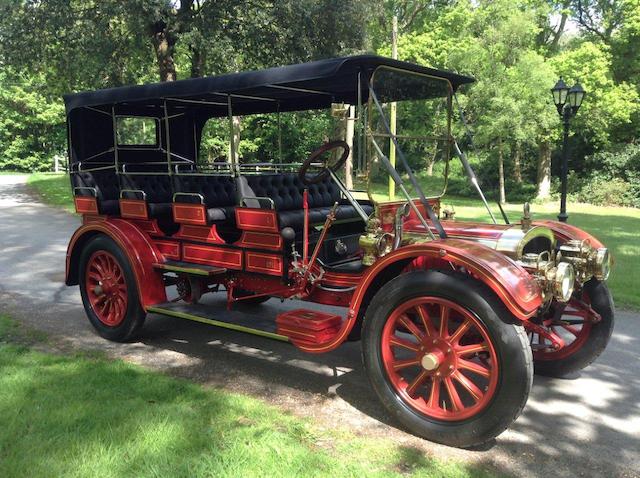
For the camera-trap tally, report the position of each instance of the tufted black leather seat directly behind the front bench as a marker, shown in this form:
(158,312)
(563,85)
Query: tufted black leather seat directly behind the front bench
(219,193)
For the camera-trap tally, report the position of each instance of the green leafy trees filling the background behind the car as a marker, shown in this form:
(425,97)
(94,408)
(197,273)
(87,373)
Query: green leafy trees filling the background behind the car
(515,49)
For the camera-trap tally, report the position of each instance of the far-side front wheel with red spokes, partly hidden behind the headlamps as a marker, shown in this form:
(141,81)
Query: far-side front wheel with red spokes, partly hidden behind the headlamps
(584,340)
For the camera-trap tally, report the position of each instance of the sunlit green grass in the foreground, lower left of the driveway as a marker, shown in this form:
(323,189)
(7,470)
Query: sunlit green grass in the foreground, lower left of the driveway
(85,415)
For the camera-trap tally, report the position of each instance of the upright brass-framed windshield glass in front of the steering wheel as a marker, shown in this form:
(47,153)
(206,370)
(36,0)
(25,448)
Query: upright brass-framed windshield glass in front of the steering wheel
(421,107)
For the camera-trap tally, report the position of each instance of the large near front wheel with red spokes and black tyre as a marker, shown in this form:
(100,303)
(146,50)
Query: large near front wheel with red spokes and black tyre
(445,358)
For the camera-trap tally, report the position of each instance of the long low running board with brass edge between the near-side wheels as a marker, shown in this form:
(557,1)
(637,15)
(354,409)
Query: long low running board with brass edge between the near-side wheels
(238,321)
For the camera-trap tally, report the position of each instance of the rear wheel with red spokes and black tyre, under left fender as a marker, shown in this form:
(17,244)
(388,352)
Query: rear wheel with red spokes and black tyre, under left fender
(109,290)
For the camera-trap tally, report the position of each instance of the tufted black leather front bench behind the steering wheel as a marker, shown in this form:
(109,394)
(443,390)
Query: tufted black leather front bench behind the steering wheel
(286,191)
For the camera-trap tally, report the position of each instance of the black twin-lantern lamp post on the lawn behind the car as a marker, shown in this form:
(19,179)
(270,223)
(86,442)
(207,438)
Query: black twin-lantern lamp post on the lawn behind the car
(567,101)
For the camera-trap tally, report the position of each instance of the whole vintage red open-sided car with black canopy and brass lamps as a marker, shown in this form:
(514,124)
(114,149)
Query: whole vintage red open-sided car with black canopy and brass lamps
(453,317)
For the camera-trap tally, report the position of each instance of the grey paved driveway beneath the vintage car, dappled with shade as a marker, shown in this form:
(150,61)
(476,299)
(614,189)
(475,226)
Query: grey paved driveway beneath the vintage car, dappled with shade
(588,425)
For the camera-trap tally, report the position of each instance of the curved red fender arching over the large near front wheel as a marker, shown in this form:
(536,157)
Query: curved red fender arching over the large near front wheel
(518,291)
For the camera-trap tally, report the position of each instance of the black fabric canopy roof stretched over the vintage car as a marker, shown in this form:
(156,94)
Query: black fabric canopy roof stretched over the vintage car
(294,87)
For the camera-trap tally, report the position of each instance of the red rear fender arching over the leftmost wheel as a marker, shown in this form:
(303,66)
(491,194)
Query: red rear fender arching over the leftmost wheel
(134,243)
